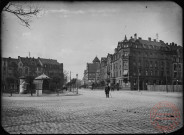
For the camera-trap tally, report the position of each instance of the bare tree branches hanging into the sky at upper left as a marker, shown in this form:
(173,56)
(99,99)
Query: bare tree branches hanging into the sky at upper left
(24,12)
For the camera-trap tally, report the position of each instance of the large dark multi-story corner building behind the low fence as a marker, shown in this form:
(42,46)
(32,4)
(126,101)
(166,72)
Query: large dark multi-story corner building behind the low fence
(137,63)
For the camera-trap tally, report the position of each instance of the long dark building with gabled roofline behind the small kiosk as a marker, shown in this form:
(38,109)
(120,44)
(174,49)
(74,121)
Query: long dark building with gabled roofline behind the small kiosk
(26,66)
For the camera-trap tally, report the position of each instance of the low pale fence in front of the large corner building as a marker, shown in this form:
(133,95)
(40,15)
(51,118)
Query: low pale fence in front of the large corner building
(169,88)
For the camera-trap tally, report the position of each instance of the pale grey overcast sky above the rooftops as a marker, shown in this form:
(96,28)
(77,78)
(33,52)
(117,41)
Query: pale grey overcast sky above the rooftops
(74,33)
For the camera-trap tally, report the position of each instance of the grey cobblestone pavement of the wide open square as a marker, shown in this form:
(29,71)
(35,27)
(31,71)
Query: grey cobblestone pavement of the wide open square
(88,112)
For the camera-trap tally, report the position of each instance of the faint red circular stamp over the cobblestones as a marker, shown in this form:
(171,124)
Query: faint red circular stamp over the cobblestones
(165,116)
